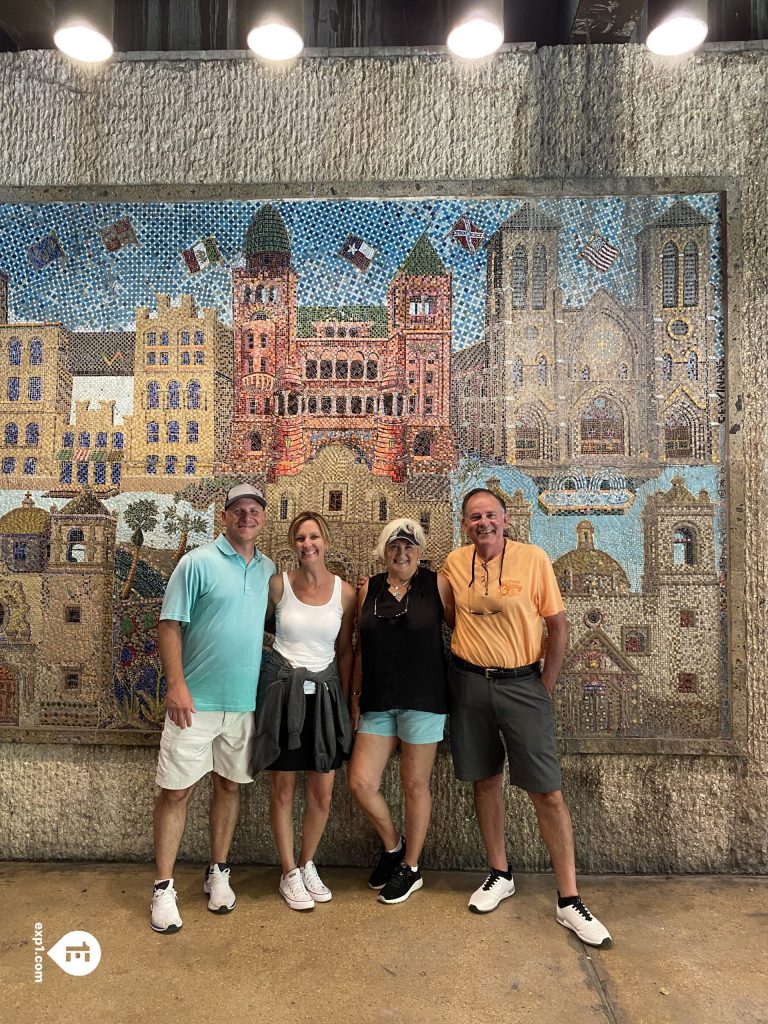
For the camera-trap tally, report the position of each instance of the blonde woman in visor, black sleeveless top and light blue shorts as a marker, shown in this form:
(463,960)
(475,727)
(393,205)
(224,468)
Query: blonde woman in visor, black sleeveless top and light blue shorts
(400,696)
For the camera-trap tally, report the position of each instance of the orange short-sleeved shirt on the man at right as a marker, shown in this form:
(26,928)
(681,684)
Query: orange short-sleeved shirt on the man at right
(528,592)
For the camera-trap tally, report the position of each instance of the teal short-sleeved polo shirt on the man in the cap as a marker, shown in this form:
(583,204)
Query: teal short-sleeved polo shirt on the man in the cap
(222,604)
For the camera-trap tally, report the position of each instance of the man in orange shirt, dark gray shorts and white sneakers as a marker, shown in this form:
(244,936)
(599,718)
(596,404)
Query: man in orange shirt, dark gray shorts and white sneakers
(502,678)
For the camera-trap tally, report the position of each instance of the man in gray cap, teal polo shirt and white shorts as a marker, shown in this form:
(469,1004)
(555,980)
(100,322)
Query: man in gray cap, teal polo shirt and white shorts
(210,636)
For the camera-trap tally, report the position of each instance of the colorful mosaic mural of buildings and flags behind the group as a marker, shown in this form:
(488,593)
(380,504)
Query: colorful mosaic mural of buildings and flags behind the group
(370,359)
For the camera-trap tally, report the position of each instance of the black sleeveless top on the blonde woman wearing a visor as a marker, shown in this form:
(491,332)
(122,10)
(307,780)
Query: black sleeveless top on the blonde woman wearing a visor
(404,663)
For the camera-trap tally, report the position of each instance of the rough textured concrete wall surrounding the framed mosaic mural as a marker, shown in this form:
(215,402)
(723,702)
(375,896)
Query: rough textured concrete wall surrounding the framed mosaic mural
(233,129)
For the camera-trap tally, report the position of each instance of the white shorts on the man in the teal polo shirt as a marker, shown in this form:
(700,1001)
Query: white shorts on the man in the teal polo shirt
(218,741)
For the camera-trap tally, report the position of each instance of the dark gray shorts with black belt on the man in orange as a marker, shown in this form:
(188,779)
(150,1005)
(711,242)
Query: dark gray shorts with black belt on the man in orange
(488,715)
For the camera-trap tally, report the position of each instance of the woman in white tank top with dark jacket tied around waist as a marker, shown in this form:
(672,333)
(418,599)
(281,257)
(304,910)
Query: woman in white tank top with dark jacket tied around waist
(315,617)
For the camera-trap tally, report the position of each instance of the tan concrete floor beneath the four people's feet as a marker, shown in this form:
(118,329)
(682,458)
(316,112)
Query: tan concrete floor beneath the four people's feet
(687,951)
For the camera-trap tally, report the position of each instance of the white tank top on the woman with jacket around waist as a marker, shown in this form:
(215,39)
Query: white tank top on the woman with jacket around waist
(306,634)
